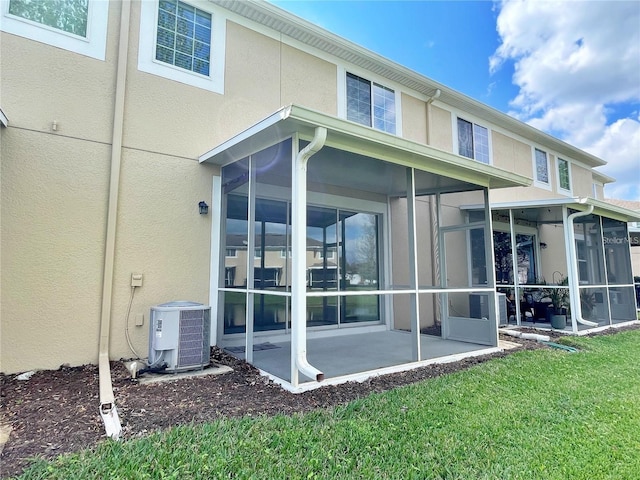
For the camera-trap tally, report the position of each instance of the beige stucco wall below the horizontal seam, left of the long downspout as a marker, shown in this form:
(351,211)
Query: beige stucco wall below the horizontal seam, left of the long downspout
(53,215)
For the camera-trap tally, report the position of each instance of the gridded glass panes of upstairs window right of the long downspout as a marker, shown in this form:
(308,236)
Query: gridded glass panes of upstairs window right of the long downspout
(183,36)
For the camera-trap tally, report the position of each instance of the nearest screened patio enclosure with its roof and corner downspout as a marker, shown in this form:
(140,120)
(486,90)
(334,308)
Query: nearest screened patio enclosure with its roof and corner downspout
(341,252)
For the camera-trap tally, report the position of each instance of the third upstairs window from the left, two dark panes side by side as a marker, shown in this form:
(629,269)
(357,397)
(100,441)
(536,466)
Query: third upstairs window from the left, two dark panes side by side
(371,104)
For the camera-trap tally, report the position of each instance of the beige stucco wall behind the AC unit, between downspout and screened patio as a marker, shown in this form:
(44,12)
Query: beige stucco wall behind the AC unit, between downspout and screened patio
(161,235)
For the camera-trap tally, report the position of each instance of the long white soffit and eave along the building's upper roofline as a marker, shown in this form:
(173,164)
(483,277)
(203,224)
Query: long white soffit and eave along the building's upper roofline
(270,16)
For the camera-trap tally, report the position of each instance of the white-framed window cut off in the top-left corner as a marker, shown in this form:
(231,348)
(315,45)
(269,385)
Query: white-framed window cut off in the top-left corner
(79,26)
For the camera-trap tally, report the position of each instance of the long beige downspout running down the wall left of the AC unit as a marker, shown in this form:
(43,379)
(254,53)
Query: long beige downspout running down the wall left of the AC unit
(108,410)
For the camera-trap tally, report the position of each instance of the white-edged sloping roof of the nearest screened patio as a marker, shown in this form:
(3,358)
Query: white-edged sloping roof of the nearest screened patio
(351,140)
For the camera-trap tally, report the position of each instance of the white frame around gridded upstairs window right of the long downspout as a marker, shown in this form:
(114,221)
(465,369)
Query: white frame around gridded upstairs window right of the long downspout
(147,62)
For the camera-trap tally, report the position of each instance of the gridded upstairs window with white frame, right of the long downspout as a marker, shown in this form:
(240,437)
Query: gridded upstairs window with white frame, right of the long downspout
(184,42)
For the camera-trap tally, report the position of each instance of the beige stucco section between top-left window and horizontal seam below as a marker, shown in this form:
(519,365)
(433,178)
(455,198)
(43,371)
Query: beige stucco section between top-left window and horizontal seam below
(43,84)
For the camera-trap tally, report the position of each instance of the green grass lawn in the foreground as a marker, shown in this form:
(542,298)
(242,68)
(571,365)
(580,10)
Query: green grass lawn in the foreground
(544,414)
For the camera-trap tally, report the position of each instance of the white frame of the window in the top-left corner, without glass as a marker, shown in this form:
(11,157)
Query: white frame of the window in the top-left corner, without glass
(94,45)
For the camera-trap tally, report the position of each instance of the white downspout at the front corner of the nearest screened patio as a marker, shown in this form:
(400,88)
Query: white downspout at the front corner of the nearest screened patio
(299,362)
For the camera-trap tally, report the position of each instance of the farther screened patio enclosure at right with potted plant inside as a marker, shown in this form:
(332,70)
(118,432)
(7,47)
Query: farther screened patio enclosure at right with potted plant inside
(573,260)
